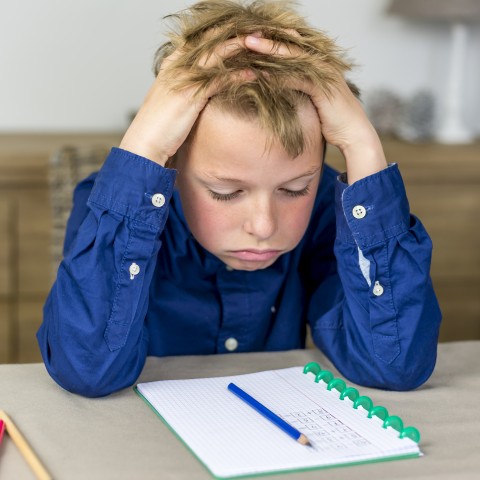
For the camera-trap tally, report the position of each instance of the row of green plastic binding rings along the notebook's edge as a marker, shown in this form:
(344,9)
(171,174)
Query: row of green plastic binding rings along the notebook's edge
(361,401)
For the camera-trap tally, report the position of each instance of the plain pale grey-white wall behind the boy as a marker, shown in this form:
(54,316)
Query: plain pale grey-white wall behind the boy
(83,66)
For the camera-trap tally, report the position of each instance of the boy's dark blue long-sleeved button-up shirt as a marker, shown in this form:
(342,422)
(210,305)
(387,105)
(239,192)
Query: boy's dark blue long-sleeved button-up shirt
(134,282)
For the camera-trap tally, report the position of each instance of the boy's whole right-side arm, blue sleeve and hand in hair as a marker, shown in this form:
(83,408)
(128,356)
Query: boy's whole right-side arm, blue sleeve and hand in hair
(376,314)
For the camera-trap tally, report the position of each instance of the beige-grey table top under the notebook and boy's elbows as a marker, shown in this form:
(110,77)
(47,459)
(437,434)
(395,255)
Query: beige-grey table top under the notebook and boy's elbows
(119,437)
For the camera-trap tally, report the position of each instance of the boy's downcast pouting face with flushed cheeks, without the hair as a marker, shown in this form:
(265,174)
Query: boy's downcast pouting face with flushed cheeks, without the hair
(244,202)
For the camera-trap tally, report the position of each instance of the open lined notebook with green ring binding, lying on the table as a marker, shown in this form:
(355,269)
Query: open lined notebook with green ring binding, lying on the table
(233,440)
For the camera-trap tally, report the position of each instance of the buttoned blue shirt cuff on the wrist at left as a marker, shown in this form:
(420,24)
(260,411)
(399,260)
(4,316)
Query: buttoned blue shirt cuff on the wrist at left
(135,187)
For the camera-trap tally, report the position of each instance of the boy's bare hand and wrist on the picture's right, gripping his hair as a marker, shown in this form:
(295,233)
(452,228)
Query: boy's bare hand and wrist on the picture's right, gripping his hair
(343,121)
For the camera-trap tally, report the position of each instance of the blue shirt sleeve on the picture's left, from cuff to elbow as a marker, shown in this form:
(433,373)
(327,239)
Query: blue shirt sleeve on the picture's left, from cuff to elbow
(93,339)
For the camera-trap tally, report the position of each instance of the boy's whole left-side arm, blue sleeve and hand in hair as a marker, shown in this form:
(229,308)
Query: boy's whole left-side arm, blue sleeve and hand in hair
(93,338)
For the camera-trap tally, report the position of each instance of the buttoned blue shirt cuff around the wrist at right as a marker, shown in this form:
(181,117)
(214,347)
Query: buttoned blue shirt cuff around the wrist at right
(373,209)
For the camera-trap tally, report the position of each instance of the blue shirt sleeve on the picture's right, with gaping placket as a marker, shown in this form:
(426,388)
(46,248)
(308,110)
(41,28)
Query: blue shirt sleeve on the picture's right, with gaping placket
(375,313)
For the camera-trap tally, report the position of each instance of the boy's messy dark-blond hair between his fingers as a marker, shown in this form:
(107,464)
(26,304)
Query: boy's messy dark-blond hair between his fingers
(199,29)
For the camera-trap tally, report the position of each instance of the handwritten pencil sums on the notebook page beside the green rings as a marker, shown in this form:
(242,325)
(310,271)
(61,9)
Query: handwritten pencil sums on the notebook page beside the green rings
(325,430)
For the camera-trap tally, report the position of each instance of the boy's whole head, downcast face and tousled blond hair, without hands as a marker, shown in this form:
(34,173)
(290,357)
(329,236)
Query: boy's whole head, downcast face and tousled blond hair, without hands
(249,172)
